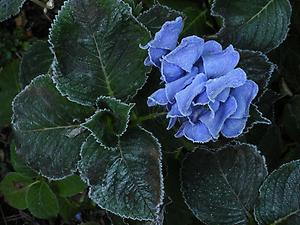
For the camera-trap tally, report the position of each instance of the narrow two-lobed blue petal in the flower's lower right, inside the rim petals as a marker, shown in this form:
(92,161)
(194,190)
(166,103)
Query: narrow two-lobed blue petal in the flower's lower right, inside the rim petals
(215,124)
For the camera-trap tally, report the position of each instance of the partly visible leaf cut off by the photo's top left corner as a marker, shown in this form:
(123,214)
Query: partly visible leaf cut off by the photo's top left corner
(10,8)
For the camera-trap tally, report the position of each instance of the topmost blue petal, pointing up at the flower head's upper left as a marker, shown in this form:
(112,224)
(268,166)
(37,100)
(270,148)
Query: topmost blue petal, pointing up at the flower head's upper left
(168,35)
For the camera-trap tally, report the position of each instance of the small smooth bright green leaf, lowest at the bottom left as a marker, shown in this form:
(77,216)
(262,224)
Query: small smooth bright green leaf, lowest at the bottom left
(41,201)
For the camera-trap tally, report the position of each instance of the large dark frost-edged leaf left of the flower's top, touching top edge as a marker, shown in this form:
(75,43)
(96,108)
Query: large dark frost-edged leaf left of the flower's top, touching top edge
(96,44)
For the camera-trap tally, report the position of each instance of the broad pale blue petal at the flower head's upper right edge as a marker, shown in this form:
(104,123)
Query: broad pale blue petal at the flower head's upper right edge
(218,64)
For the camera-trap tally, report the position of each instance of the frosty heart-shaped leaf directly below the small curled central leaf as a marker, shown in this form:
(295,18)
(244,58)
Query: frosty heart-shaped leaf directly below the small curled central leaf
(128,180)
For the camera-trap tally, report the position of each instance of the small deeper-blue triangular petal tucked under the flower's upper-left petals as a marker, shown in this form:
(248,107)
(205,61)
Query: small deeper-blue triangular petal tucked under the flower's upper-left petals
(171,72)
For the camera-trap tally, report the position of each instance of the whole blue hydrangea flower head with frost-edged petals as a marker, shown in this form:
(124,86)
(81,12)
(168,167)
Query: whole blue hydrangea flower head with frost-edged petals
(203,89)
